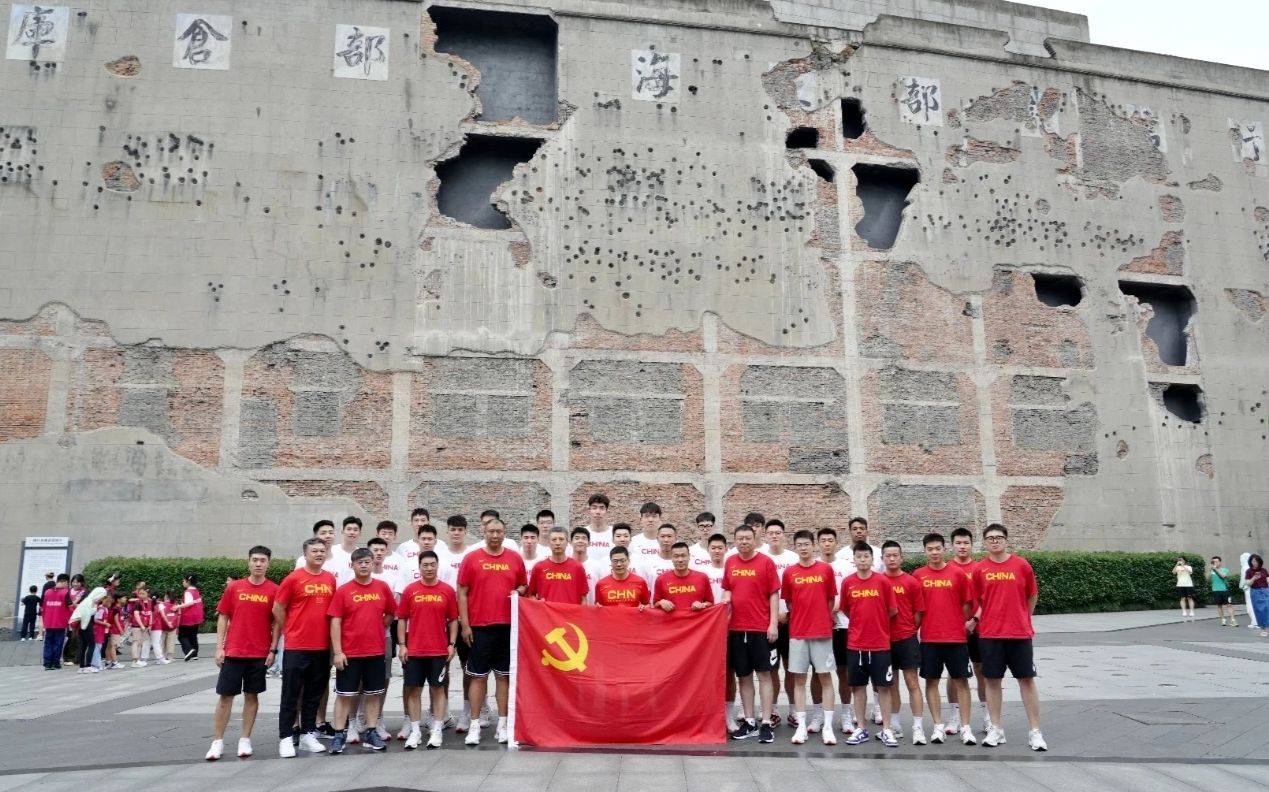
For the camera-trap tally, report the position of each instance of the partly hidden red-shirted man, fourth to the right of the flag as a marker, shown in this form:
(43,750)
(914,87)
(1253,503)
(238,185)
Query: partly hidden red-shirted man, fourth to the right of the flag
(905,650)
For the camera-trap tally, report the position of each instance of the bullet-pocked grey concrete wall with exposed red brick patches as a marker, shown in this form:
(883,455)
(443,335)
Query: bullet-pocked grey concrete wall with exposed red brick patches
(242,295)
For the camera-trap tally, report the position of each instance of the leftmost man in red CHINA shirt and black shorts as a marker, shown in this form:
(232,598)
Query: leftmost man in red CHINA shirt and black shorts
(247,643)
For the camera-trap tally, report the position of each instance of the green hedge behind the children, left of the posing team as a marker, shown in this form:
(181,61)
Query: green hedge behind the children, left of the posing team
(166,576)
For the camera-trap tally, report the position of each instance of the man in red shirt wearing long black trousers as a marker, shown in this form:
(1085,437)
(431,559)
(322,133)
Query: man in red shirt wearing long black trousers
(301,607)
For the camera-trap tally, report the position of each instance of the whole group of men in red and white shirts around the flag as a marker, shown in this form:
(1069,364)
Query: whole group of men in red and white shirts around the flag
(817,605)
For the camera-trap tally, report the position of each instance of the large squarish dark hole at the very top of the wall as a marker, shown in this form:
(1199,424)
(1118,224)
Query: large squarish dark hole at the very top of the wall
(516,55)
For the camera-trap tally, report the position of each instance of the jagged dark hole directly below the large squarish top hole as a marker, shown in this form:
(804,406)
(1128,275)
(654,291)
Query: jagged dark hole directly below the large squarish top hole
(469,181)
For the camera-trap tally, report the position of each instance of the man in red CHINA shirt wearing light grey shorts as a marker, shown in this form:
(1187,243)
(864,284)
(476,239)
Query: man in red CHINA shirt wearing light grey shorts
(809,590)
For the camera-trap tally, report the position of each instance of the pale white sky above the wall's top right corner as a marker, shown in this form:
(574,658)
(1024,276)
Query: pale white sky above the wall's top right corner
(1223,31)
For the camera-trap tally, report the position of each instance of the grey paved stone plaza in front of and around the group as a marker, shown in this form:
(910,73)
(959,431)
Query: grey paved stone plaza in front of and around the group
(1134,700)
